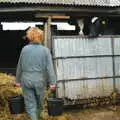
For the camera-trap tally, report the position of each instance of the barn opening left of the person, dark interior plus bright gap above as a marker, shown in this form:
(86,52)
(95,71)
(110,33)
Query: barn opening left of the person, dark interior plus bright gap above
(12,36)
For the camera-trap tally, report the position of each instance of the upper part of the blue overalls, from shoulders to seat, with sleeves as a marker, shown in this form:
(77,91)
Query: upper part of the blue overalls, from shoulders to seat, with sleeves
(35,66)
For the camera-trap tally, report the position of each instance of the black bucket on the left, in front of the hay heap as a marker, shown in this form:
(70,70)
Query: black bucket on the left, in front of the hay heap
(16,104)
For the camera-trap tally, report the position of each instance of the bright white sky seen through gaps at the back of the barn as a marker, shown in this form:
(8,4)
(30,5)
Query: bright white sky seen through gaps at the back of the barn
(23,25)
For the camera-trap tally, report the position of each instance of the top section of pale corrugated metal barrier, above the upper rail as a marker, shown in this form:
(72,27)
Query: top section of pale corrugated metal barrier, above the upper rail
(76,46)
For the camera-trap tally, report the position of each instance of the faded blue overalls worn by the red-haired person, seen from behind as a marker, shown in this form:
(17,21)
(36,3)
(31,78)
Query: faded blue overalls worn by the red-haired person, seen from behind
(34,66)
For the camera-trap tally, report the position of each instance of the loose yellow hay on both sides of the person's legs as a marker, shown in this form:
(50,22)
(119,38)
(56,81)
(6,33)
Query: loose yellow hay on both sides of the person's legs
(8,89)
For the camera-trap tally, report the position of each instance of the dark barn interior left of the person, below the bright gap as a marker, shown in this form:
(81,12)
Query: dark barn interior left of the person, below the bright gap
(10,47)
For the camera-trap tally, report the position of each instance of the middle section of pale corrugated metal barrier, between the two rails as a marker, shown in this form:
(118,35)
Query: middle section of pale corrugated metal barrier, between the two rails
(79,68)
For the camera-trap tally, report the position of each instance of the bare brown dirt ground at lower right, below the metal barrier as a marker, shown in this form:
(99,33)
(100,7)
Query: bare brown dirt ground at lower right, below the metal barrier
(109,113)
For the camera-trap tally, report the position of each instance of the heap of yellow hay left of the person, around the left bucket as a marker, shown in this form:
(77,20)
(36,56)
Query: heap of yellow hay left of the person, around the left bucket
(8,90)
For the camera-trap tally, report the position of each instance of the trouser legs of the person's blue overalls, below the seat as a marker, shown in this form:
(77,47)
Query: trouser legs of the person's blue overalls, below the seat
(33,98)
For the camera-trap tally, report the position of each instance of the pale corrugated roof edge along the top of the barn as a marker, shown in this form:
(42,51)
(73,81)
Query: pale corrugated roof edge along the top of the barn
(109,3)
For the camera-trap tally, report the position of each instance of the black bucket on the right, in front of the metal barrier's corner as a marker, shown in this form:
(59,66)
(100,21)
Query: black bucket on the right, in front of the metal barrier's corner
(55,106)
